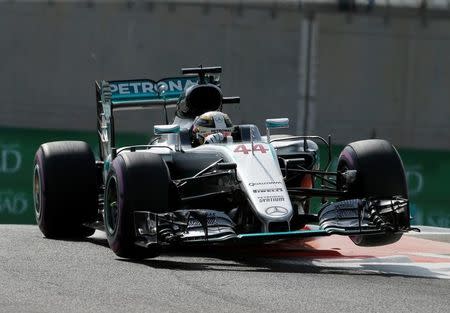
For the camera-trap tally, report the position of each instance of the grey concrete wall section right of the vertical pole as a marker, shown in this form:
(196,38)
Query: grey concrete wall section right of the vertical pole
(389,80)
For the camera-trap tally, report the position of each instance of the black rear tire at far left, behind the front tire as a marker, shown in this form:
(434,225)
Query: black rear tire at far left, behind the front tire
(65,189)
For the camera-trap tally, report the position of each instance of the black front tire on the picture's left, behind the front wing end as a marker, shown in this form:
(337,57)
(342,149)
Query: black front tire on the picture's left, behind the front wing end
(137,181)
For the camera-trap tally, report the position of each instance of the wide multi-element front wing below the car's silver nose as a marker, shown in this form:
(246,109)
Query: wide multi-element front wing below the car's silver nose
(349,217)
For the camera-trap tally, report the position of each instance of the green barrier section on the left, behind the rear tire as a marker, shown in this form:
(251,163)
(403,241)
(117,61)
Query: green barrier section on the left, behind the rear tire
(17,149)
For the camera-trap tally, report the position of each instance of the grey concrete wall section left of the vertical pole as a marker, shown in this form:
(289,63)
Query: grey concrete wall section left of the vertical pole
(50,56)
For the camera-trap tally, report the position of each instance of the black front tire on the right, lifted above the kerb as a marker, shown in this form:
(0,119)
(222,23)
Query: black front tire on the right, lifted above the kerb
(380,173)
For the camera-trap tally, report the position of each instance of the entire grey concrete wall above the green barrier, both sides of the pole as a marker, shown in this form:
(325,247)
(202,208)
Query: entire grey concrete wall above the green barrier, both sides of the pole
(370,78)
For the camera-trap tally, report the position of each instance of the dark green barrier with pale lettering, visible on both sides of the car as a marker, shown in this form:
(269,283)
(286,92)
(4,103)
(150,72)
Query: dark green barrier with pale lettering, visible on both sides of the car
(427,174)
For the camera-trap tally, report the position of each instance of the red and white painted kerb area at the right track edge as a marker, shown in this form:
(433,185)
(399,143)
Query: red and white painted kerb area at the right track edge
(420,254)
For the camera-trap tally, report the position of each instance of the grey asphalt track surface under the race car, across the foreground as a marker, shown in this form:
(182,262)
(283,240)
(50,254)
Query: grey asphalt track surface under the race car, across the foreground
(43,275)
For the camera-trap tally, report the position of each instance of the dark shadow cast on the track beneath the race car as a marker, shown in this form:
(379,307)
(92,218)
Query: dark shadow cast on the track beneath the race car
(269,258)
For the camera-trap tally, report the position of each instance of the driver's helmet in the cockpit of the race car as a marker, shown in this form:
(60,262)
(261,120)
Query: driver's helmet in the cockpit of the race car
(210,123)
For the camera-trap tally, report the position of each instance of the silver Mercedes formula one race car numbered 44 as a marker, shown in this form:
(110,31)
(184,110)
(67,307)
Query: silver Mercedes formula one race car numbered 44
(231,185)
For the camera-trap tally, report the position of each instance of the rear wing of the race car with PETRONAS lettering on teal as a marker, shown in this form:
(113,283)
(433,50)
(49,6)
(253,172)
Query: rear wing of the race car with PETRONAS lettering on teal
(135,94)
